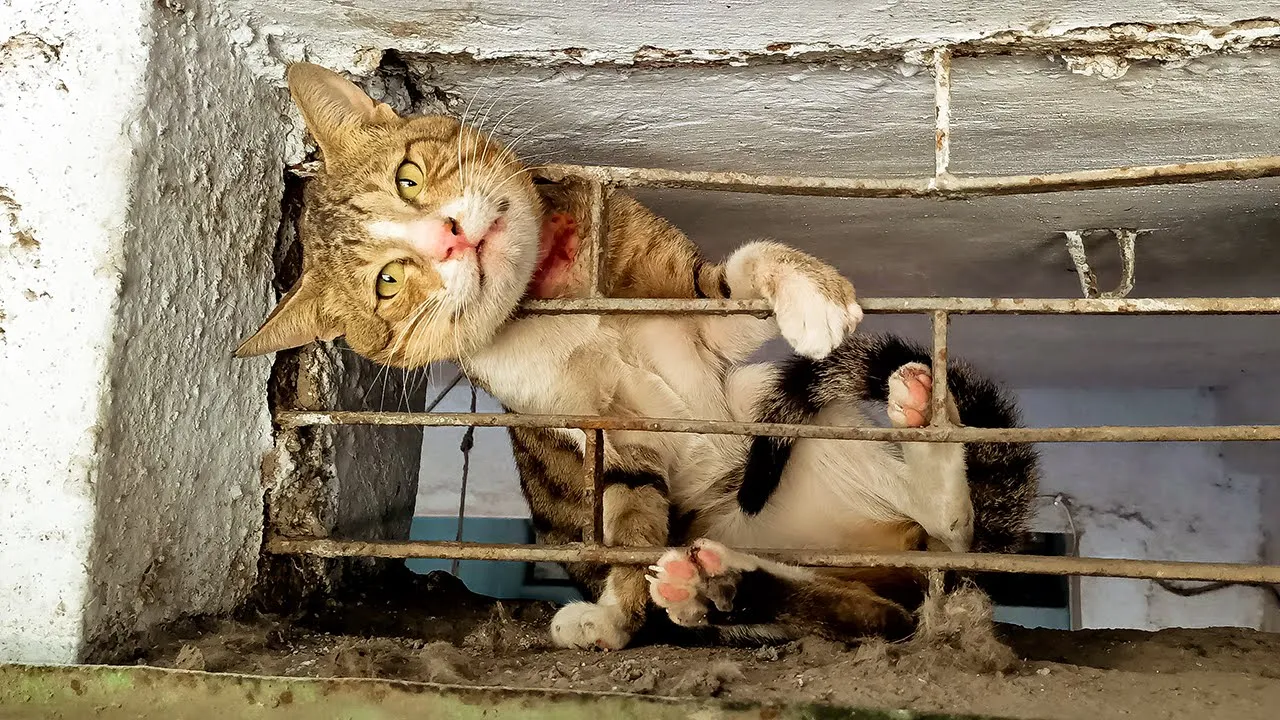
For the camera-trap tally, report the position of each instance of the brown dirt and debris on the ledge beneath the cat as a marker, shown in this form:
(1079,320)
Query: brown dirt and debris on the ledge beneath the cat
(433,630)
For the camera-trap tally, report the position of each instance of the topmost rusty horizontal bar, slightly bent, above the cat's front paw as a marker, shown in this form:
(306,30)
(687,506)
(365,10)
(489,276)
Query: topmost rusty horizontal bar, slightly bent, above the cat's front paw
(938,188)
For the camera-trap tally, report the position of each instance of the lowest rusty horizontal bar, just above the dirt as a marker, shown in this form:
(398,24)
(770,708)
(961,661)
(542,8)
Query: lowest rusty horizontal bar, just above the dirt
(972,562)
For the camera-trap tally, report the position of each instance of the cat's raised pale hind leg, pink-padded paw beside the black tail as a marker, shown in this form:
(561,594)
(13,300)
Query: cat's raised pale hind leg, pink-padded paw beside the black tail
(938,486)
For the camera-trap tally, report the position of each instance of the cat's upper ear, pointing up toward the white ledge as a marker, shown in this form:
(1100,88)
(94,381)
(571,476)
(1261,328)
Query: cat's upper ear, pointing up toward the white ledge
(332,106)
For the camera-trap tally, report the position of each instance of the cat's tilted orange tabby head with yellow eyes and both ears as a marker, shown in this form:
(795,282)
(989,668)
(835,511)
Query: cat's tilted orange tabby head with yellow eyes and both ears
(419,238)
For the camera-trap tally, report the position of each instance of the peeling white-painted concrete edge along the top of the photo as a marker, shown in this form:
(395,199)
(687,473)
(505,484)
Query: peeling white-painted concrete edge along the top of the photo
(349,35)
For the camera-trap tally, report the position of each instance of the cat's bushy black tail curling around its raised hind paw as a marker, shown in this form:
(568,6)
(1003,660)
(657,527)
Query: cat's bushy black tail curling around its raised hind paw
(1003,477)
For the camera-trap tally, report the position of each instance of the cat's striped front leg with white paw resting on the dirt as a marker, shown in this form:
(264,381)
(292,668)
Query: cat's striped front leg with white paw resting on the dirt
(637,513)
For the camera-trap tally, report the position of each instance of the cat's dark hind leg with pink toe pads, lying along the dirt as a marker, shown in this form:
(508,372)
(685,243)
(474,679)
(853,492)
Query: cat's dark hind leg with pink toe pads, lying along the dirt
(749,590)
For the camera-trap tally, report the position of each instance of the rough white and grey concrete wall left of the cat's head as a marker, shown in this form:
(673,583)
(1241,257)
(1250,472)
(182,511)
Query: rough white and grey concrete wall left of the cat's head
(139,202)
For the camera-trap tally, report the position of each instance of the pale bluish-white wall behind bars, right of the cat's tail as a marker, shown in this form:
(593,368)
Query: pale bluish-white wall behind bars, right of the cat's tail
(1171,502)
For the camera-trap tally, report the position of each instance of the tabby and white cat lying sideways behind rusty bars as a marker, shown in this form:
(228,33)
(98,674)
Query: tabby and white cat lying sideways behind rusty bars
(423,235)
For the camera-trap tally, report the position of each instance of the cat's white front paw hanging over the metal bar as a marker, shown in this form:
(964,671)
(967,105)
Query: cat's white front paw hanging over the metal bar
(816,311)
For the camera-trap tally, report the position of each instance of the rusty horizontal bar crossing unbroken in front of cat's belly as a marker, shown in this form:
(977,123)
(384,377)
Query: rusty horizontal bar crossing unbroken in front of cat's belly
(1100,434)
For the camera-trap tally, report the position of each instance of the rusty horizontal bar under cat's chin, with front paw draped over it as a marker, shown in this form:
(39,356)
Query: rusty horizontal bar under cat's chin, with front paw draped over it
(904,306)
